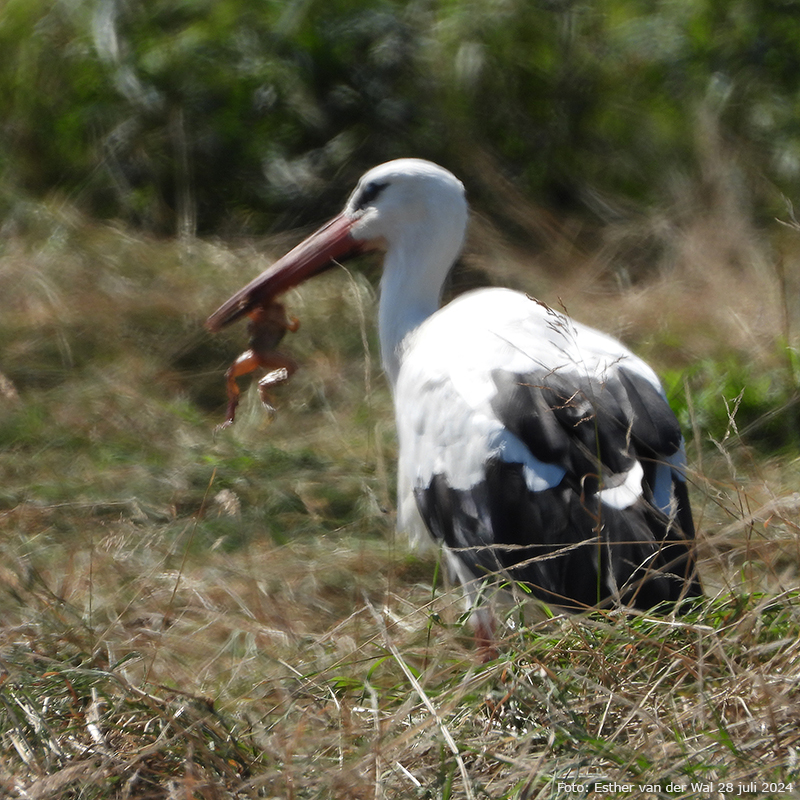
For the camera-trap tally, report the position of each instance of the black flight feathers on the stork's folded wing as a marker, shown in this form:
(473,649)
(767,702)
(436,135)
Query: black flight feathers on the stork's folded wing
(569,547)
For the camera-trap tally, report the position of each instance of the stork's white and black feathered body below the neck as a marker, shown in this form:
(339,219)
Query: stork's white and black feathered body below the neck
(541,449)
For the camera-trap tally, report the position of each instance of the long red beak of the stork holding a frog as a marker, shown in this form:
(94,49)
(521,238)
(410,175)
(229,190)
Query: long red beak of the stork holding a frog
(332,242)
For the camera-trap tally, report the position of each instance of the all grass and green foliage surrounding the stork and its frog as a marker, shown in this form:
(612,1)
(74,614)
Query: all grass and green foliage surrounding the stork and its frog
(191,614)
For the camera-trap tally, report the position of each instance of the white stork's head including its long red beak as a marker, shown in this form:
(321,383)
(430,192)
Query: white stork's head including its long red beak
(409,208)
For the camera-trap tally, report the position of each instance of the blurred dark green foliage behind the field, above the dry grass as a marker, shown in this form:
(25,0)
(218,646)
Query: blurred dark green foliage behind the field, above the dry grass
(239,115)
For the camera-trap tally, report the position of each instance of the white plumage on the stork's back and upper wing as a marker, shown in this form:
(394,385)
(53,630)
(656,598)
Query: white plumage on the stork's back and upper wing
(444,388)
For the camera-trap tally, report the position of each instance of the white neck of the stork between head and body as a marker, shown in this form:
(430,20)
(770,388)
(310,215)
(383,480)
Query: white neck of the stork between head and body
(408,297)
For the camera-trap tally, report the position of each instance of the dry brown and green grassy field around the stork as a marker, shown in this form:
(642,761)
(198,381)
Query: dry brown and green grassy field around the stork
(187,613)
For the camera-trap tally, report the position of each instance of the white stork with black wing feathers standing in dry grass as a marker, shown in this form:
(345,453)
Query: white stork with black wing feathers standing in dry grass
(533,448)
